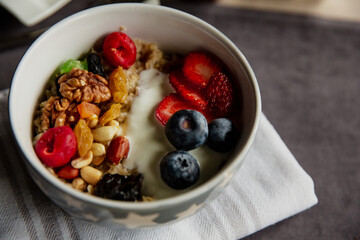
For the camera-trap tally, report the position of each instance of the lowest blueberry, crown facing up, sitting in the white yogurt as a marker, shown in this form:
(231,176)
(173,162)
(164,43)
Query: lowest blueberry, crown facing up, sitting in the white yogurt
(179,169)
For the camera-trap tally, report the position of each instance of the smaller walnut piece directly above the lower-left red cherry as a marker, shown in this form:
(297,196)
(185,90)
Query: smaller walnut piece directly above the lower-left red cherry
(58,112)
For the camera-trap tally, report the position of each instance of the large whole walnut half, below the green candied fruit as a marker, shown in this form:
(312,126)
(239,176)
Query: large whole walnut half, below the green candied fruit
(83,86)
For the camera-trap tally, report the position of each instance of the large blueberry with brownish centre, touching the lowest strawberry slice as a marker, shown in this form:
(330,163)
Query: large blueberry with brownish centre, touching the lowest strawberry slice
(187,129)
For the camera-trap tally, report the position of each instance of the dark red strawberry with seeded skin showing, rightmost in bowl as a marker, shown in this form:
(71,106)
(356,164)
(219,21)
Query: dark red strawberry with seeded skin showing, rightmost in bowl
(220,95)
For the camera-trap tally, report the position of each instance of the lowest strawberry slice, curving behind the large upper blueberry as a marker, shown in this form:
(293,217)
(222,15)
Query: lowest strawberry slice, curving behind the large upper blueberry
(173,103)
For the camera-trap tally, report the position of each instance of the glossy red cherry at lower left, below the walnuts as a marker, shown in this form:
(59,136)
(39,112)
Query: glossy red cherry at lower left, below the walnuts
(56,146)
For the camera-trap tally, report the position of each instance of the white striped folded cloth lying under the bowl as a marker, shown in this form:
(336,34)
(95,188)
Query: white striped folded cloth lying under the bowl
(269,187)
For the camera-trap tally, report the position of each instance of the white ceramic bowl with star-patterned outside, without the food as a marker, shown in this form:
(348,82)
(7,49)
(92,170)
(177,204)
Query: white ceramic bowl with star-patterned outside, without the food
(171,30)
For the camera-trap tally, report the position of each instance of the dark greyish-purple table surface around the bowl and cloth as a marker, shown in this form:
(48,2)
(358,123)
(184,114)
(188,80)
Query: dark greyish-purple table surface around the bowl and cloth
(308,71)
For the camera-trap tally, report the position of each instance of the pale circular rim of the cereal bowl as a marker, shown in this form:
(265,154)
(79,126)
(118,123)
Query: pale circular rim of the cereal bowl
(193,193)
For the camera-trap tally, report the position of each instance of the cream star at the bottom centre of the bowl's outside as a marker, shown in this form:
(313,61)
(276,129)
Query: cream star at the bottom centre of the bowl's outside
(134,220)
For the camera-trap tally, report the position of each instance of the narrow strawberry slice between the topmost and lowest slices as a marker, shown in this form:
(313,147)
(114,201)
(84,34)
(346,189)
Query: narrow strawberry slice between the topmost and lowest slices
(177,80)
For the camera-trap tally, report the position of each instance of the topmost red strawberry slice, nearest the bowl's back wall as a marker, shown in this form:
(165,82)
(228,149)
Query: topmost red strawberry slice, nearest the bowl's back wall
(199,67)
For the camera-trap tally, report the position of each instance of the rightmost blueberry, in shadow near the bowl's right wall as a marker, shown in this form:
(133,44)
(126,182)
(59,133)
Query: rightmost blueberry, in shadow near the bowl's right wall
(223,135)
